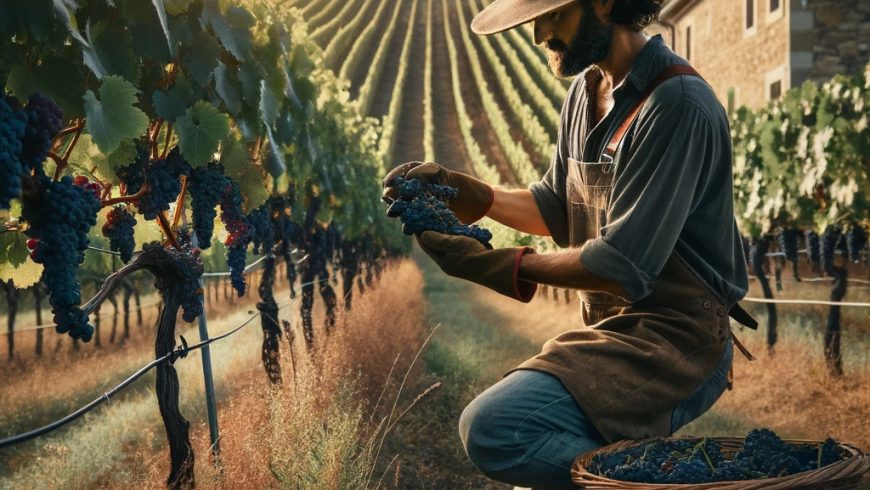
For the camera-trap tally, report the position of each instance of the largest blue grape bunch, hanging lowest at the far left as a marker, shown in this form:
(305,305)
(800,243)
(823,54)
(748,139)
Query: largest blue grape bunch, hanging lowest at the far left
(60,218)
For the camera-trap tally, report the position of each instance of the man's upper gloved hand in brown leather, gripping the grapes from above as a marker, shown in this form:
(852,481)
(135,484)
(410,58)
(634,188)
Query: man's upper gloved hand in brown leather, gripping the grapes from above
(471,203)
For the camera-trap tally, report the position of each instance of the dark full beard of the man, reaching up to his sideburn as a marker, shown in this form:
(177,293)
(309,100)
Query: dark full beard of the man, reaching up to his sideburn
(590,45)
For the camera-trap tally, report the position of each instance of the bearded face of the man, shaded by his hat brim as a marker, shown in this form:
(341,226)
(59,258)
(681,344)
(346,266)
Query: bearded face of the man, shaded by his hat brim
(577,38)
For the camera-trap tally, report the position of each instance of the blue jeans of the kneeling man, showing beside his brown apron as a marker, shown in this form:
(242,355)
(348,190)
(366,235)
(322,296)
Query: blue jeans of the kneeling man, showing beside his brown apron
(527,430)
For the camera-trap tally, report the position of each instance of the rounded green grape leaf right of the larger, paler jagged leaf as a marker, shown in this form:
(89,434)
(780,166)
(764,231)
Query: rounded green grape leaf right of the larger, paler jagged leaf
(200,131)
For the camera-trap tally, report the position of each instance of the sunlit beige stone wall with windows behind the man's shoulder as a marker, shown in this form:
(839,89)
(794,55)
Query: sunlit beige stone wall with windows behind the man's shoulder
(734,60)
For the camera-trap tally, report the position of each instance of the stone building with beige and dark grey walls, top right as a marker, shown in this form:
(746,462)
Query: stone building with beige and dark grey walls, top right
(751,51)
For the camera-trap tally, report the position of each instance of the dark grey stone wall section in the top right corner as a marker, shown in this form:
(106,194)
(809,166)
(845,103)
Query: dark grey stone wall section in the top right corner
(829,37)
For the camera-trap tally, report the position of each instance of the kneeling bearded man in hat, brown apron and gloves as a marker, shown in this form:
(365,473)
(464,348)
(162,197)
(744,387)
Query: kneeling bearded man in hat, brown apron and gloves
(640,188)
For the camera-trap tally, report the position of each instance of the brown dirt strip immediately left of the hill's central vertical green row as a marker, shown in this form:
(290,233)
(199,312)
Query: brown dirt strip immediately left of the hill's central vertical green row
(409,133)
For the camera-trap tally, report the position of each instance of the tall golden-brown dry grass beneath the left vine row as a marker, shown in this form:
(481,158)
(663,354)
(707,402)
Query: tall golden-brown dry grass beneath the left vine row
(320,431)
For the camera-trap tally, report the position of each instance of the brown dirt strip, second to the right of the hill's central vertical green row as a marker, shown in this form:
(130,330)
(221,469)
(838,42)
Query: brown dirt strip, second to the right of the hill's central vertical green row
(481,130)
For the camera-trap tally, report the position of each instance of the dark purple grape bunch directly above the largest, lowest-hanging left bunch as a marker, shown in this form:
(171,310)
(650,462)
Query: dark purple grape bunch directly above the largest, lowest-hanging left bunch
(44,121)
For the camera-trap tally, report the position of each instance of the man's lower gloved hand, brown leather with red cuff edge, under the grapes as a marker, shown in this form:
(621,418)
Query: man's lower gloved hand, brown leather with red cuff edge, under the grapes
(468,259)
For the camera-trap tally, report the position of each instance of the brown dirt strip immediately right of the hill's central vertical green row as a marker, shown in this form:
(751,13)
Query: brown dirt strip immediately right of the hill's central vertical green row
(449,147)
